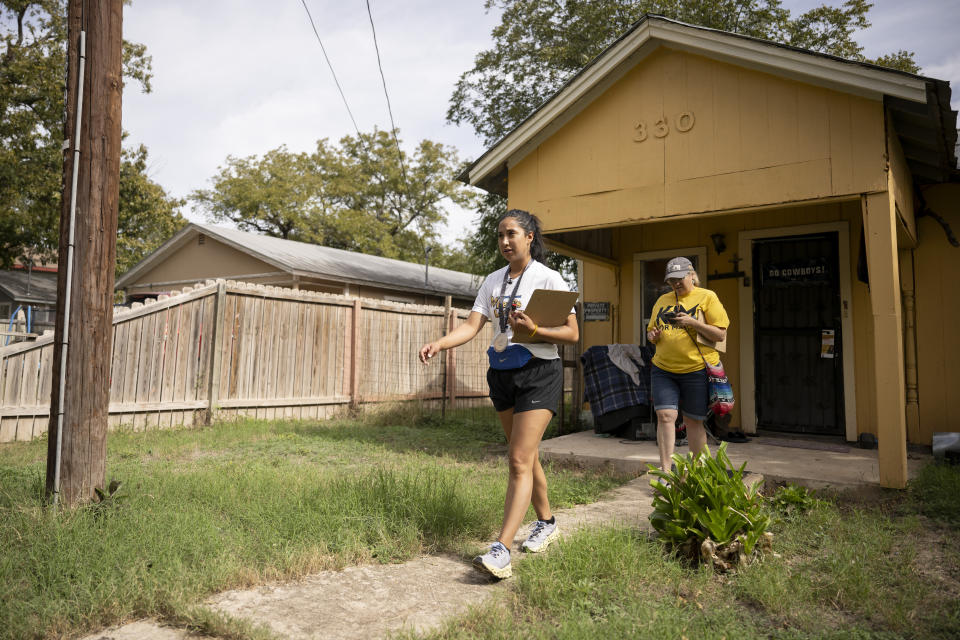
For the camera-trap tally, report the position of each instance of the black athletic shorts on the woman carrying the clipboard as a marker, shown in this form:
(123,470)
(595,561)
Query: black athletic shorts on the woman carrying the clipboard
(536,385)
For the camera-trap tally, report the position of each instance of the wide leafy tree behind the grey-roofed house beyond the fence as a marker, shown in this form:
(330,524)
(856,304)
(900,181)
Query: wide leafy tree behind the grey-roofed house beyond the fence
(357,195)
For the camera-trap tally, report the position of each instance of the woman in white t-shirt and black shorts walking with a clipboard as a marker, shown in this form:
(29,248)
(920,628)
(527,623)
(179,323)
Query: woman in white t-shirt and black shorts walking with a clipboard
(526,380)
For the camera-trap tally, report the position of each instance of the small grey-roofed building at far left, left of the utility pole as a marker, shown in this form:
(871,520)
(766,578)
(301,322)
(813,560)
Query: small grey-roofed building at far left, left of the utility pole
(22,288)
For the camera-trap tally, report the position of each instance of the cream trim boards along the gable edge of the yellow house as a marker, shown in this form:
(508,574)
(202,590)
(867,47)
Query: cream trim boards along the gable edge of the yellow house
(763,56)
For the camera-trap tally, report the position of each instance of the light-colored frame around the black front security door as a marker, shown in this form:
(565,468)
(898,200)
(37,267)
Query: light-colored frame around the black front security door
(748,400)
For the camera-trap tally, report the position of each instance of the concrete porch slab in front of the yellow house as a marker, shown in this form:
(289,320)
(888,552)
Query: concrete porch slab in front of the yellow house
(814,464)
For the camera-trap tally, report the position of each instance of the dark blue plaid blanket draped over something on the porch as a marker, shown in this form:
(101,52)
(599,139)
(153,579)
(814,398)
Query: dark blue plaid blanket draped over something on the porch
(607,388)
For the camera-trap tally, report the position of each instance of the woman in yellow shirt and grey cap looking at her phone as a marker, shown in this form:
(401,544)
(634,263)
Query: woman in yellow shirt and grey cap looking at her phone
(678,378)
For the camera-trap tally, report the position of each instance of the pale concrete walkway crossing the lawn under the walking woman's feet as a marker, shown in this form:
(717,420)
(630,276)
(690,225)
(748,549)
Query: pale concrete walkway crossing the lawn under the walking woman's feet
(373,601)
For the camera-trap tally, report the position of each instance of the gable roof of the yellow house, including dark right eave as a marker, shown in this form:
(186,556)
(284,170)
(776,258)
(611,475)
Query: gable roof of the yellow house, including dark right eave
(919,105)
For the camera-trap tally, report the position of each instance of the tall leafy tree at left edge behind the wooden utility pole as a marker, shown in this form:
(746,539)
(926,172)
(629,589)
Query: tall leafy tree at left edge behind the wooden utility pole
(32,85)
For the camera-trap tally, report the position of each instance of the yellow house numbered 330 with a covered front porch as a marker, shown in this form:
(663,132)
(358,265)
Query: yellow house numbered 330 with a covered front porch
(814,195)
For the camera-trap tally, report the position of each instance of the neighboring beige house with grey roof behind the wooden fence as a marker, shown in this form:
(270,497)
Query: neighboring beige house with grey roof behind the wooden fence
(200,251)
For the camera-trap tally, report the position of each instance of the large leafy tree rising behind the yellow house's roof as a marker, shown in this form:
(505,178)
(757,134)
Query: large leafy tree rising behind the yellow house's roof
(539,44)
